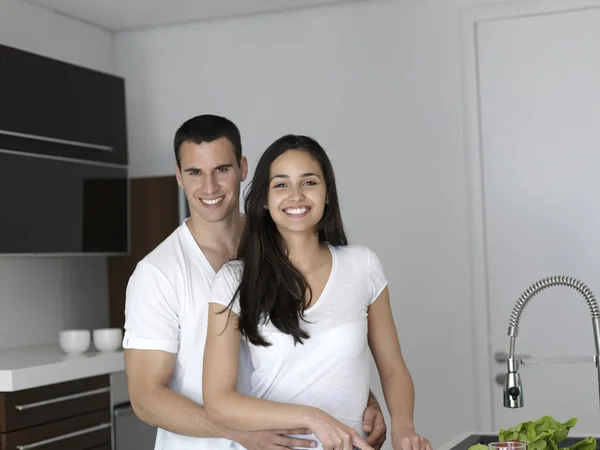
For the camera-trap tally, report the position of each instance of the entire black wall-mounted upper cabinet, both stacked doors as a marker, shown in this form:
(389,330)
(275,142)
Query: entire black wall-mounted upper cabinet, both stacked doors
(63,158)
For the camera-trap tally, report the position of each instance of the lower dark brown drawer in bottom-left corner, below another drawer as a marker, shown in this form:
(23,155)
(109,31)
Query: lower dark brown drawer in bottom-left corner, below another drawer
(85,432)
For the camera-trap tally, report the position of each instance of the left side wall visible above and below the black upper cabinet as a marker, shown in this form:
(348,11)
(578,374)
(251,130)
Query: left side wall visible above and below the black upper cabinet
(39,296)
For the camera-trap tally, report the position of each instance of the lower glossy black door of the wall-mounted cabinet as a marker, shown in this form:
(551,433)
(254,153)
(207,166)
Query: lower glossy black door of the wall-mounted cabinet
(51,205)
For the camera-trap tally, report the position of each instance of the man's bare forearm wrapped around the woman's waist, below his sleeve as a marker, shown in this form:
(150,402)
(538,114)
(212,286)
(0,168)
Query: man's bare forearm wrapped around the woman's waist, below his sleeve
(171,411)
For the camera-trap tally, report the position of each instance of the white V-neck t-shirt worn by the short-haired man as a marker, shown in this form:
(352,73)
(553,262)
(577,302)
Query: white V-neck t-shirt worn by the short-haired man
(167,309)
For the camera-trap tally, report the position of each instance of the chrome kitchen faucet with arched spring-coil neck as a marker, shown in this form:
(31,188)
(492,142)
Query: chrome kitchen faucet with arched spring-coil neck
(513,390)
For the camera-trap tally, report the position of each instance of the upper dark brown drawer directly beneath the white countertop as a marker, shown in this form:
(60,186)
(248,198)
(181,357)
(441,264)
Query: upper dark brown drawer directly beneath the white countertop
(30,407)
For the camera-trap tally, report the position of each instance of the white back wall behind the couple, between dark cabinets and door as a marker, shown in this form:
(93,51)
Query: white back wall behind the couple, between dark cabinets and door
(379,85)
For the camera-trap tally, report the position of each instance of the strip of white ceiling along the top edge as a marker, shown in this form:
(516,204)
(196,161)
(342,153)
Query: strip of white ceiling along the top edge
(118,15)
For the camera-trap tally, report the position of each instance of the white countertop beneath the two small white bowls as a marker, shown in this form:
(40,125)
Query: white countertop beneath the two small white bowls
(29,367)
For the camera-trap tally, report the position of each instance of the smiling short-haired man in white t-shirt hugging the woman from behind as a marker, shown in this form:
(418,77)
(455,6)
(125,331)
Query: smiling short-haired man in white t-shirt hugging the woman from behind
(167,302)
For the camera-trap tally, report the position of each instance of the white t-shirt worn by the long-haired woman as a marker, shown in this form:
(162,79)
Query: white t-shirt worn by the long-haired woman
(331,370)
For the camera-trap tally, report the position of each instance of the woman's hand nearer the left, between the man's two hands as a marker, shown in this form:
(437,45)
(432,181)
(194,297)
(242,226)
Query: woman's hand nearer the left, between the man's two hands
(334,435)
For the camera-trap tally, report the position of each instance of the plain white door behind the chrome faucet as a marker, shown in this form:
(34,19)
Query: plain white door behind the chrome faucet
(539,118)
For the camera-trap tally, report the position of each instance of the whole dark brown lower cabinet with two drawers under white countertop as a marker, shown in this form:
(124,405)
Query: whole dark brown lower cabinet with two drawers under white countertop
(68,416)
